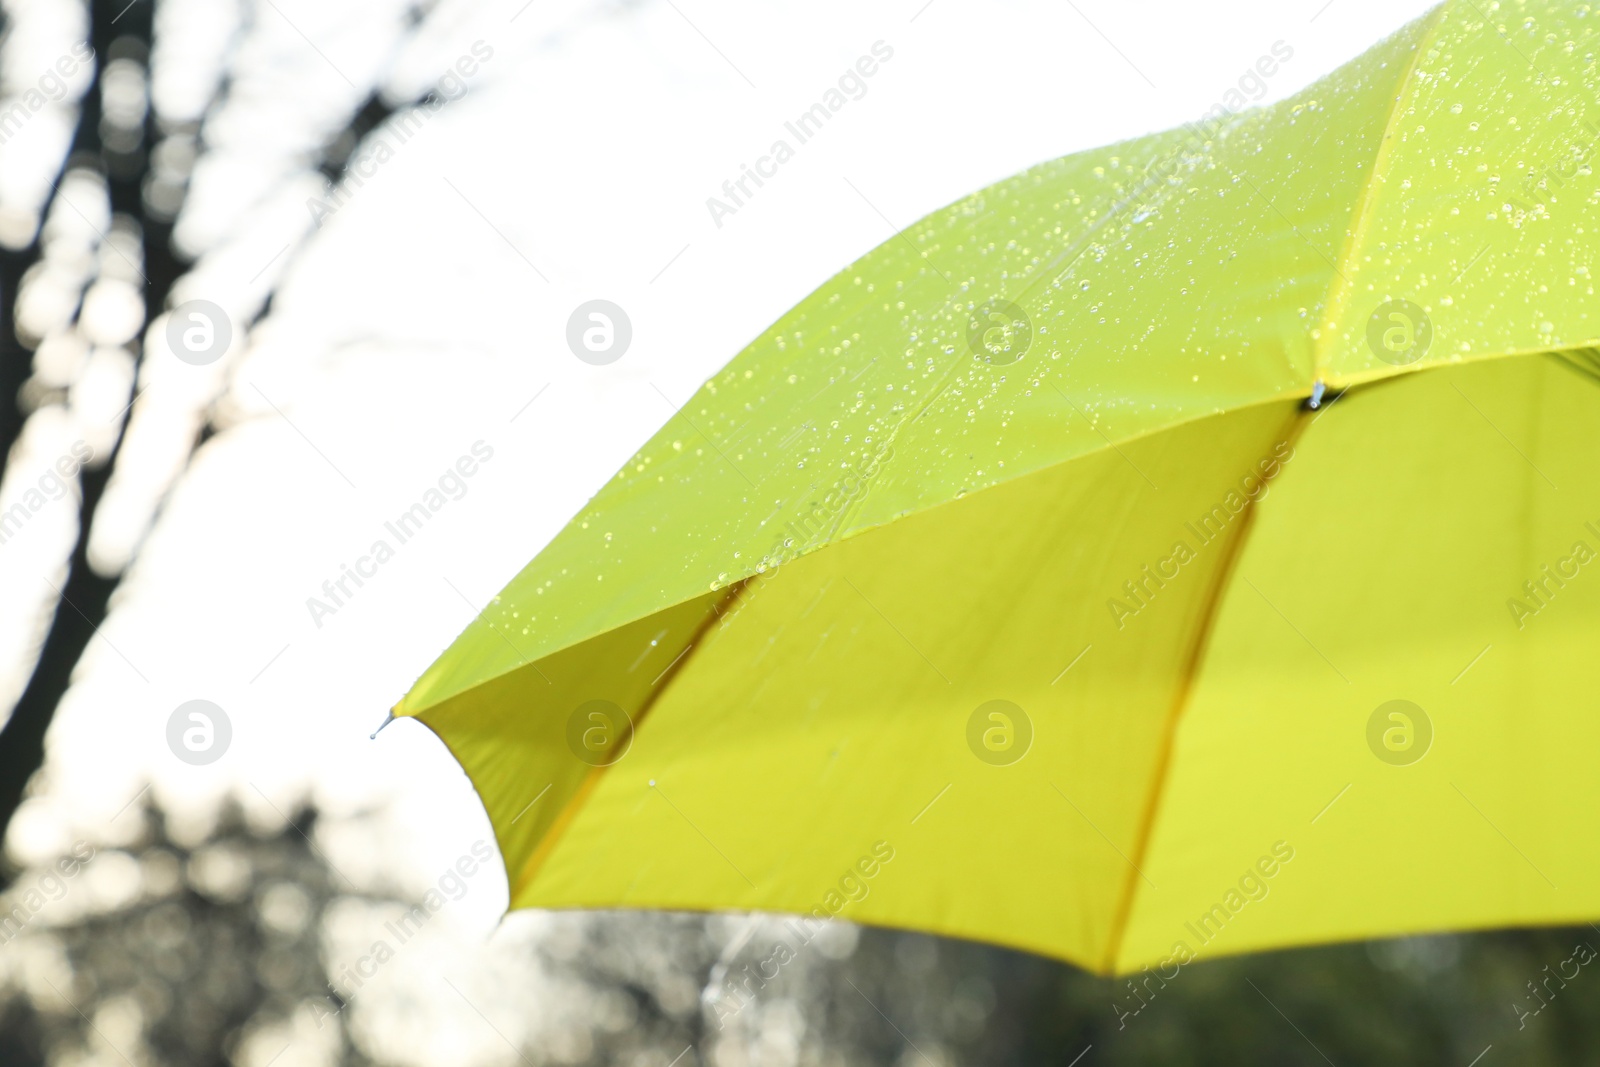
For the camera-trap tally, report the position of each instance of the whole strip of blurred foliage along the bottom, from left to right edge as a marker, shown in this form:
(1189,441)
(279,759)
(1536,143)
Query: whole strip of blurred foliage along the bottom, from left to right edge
(217,953)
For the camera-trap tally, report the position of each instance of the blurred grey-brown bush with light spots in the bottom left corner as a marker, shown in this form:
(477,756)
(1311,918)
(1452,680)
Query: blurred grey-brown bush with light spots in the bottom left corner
(159,953)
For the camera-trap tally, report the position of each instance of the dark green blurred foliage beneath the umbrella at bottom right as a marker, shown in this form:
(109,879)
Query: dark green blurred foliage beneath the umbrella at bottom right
(1420,1001)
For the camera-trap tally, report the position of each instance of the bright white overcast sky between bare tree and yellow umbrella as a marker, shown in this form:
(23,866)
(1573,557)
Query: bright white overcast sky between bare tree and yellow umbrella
(431,310)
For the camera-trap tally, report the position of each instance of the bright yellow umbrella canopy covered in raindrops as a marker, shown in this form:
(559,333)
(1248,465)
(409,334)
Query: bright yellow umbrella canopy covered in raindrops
(1182,548)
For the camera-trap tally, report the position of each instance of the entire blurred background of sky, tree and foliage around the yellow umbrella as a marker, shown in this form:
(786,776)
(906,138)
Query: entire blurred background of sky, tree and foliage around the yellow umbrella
(396,207)
